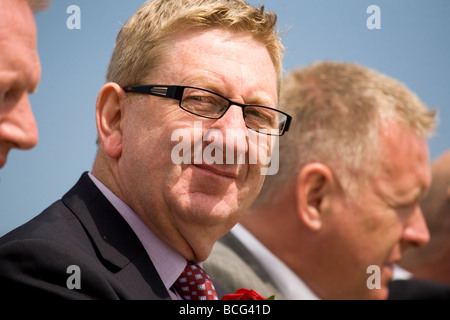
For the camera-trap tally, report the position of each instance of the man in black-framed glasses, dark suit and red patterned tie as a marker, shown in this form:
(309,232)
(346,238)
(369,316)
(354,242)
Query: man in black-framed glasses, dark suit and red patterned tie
(141,222)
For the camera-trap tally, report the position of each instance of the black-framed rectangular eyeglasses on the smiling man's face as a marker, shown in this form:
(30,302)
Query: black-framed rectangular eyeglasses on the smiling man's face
(208,104)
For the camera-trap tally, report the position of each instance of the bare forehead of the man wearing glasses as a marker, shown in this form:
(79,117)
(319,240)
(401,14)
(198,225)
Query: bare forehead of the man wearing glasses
(212,69)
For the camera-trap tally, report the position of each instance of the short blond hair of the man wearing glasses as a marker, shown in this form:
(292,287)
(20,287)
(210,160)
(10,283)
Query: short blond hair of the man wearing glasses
(143,40)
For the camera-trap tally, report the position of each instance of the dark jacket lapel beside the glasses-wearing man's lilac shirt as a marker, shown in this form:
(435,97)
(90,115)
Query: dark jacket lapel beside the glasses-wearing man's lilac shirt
(117,245)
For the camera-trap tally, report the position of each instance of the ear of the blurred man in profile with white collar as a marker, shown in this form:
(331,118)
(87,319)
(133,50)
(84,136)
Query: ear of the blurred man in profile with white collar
(314,185)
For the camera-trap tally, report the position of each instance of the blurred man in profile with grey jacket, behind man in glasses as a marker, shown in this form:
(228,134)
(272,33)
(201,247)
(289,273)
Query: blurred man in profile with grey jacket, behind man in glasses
(345,203)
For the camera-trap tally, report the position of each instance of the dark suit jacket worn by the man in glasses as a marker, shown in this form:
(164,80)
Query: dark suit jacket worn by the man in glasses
(85,230)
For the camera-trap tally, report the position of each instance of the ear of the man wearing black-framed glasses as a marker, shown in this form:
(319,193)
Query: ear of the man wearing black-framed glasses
(109,117)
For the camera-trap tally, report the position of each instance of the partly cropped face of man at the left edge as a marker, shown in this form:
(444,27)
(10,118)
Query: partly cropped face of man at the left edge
(20,71)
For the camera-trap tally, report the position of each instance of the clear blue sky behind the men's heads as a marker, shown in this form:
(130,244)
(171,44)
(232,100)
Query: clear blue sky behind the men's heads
(413,46)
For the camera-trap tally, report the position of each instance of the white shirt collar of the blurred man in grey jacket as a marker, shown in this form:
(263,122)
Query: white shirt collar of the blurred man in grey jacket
(286,281)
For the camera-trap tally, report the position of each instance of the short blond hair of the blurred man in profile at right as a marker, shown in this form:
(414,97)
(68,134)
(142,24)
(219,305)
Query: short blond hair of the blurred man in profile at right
(336,110)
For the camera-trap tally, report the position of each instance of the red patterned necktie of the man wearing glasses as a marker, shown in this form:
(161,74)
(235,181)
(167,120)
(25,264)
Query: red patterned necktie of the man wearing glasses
(194,284)
